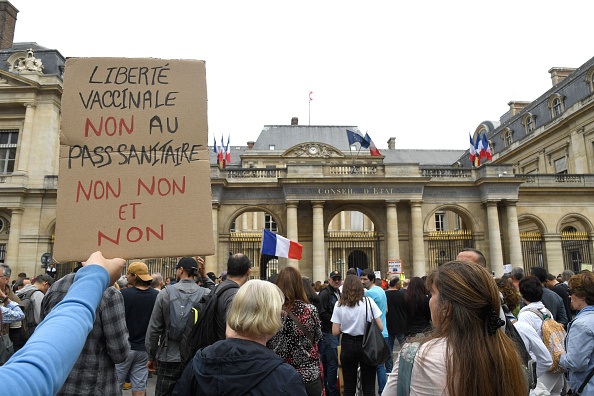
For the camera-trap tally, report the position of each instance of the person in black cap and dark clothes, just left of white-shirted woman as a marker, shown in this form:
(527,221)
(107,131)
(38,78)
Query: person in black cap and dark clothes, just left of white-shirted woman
(329,343)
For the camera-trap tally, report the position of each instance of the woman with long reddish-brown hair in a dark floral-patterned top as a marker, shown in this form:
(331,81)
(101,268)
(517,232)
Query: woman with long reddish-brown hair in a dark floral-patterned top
(297,341)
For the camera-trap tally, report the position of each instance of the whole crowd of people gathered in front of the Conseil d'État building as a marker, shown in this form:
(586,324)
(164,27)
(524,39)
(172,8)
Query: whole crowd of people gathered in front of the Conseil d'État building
(450,333)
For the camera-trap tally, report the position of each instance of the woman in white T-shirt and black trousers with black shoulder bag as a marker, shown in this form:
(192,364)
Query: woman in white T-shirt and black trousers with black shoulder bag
(350,317)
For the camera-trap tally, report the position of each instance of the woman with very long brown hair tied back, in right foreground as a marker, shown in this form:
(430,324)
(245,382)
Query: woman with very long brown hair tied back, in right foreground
(468,353)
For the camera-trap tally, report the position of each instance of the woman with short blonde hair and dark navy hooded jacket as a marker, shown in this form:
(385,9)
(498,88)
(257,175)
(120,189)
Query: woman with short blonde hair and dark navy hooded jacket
(241,364)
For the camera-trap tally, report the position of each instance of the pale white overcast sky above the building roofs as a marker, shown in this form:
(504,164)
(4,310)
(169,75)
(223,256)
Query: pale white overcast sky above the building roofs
(426,72)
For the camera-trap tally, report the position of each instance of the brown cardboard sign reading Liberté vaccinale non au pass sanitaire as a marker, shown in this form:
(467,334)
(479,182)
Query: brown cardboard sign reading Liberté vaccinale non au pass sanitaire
(134,177)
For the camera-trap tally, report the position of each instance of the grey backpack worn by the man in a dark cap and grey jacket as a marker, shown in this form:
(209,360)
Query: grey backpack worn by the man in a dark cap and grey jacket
(181,304)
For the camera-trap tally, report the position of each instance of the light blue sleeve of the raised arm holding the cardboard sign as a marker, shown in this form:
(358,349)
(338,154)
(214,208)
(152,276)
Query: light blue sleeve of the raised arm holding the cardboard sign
(66,328)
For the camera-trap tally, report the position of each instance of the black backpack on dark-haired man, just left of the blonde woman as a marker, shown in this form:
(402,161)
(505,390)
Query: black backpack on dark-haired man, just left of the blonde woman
(201,331)
